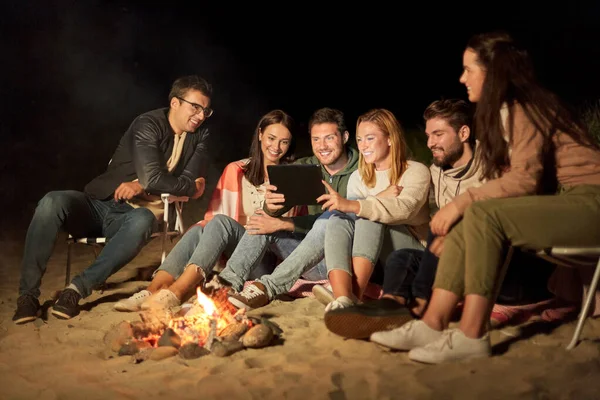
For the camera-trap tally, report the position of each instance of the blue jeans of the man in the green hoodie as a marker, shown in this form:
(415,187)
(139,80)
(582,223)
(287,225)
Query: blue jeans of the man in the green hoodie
(302,256)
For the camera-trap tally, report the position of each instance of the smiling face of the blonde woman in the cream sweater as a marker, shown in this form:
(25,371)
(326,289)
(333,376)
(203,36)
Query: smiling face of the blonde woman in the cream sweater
(374,145)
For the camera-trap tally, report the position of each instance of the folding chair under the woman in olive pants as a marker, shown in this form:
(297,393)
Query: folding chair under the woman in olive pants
(575,257)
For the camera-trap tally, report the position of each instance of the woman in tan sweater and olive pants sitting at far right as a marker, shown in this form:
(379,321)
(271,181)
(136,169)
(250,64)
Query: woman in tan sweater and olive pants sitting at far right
(530,144)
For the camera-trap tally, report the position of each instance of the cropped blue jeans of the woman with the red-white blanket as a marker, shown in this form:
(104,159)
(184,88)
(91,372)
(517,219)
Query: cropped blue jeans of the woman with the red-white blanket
(204,246)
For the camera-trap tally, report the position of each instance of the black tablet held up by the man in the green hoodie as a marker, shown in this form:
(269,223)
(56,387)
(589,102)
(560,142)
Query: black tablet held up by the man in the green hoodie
(300,183)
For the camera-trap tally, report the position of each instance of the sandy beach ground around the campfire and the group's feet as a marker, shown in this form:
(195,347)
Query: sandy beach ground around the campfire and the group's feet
(57,359)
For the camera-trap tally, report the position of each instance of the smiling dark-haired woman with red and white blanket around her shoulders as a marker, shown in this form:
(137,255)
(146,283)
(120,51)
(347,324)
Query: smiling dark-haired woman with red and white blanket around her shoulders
(239,194)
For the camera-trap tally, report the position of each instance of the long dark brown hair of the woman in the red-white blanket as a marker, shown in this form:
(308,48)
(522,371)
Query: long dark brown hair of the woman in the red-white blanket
(254,171)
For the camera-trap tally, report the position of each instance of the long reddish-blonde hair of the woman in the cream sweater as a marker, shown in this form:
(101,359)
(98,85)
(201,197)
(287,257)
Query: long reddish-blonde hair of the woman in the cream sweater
(389,125)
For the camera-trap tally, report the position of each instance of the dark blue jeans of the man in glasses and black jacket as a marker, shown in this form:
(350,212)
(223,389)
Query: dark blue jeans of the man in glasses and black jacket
(127,229)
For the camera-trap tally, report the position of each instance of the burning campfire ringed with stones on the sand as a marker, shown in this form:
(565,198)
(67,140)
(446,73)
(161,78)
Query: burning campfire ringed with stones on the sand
(207,325)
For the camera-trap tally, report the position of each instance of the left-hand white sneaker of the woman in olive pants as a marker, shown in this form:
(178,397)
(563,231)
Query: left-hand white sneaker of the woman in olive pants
(413,334)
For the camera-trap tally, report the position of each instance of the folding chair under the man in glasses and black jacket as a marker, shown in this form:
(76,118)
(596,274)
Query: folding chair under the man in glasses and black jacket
(98,242)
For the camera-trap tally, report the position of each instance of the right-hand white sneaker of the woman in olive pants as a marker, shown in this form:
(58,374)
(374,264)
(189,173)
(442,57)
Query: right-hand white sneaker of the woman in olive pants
(453,345)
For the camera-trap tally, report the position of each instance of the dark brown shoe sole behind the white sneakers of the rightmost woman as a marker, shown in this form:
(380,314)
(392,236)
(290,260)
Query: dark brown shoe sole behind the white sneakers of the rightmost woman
(353,325)
